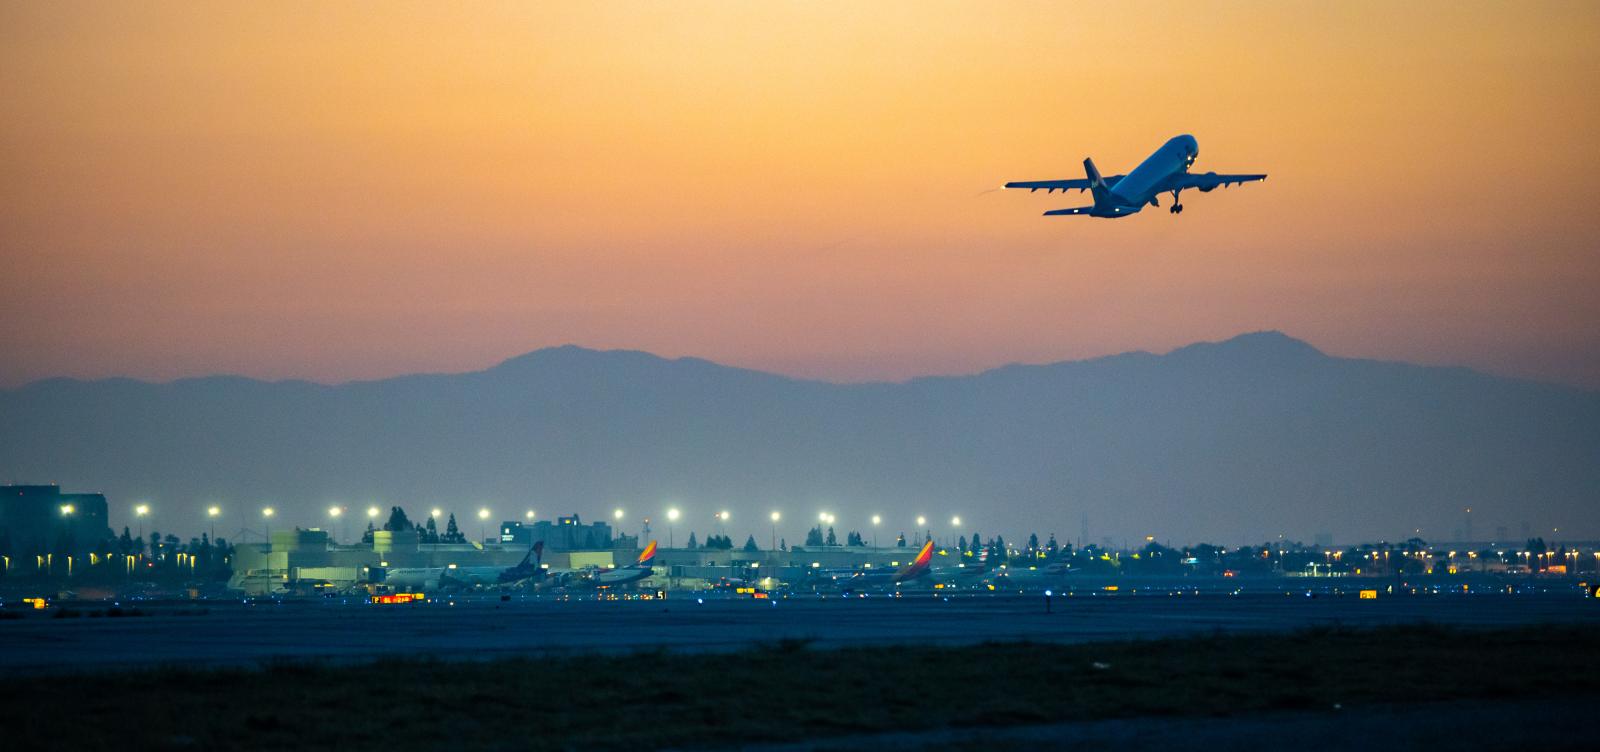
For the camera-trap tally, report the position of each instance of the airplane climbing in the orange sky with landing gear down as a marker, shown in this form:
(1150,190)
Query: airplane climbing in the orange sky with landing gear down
(1166,172)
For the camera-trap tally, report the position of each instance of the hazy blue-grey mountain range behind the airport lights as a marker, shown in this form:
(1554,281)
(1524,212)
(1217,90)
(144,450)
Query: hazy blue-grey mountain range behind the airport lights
(1239,441)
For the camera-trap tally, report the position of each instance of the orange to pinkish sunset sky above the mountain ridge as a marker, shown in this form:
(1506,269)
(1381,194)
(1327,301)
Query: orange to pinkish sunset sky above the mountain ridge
(340,191)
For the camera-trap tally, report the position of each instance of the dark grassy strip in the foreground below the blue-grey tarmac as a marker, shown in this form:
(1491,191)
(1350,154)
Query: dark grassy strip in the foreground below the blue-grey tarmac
(785,692)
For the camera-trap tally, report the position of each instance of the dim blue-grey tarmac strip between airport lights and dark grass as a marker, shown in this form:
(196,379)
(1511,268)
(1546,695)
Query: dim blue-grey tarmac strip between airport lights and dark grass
(484,628)
